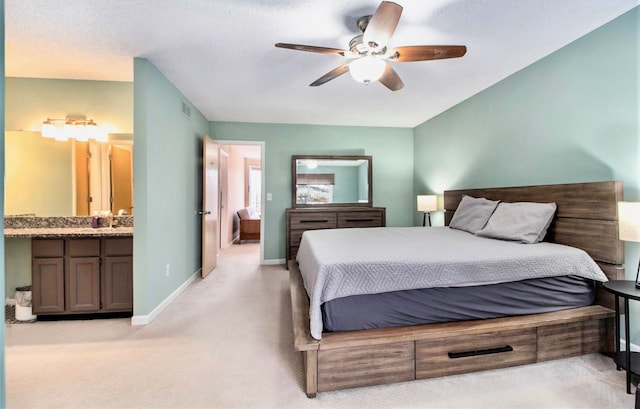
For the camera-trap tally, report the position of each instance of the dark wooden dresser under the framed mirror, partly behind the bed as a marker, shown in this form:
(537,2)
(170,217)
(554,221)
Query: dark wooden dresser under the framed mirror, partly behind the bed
(301,219)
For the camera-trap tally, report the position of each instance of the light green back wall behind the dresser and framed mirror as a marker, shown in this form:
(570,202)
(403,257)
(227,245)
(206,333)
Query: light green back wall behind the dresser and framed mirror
(391,149)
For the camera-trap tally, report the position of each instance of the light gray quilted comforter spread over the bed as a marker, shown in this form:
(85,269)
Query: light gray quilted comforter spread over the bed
(343,262)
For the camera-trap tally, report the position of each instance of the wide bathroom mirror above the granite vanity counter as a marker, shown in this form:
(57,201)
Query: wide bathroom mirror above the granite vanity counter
(46,177)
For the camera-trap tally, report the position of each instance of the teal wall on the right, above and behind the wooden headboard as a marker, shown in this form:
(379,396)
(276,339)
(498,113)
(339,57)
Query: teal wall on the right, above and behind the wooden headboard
(571,117)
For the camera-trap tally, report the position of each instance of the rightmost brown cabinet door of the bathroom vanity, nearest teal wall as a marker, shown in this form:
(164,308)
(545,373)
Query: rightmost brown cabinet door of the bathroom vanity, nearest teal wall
(117,287)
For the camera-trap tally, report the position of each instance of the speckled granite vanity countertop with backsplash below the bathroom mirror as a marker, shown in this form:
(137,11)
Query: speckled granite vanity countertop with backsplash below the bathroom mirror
(68,226)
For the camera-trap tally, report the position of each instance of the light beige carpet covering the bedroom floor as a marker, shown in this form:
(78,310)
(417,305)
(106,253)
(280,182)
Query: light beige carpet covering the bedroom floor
(226,342)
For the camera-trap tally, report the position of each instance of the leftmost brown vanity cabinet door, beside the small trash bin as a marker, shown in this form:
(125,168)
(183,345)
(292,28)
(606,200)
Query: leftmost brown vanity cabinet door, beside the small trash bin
(47,277)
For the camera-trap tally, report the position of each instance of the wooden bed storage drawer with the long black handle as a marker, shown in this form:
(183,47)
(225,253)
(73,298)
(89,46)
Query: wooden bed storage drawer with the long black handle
(450,356)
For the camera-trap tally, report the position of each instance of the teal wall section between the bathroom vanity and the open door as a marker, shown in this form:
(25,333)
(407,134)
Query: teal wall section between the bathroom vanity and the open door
(167,174)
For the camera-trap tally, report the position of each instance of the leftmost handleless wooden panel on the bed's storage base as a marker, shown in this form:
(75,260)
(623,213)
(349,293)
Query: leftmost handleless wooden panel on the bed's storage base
(367,366)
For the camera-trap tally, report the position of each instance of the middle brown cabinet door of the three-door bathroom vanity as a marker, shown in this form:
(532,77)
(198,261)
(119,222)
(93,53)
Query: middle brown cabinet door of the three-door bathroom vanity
(83,284)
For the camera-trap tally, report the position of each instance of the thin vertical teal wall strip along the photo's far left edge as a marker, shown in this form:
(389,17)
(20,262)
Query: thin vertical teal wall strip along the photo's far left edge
(2,270)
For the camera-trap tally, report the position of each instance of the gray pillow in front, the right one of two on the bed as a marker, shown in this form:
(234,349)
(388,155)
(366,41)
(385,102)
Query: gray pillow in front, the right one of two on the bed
(526,222)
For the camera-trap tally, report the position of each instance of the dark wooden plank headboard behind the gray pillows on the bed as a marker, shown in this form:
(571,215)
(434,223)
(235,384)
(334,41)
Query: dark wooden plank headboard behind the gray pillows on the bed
(586,218)
